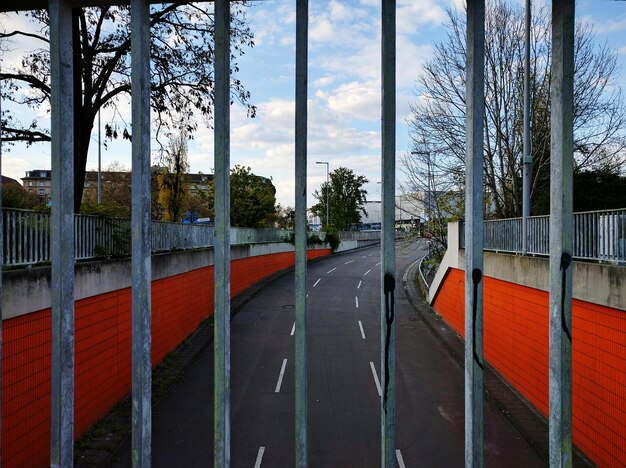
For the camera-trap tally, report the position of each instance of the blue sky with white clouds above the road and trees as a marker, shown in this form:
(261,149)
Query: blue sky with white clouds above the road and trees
(344,89)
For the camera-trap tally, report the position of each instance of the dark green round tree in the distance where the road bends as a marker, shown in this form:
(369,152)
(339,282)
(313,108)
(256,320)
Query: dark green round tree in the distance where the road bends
(346,197)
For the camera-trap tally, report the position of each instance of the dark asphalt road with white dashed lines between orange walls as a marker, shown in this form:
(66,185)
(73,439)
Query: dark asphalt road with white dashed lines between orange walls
(343,369)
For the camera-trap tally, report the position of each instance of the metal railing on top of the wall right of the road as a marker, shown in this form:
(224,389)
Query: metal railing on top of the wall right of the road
(598,235)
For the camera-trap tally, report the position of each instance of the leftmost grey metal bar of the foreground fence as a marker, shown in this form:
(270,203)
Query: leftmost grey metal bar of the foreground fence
(62,234)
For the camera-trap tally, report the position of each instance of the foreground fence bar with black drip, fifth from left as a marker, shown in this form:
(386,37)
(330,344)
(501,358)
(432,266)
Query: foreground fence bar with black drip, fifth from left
(388,265)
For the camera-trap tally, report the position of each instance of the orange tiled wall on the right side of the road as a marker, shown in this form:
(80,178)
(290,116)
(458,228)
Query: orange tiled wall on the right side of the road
(516,344)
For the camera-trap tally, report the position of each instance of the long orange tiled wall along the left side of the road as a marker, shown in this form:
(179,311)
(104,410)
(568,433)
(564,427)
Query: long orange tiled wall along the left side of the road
(103,351)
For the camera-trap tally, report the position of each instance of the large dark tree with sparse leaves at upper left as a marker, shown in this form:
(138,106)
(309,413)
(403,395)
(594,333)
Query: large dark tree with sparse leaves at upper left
(181,61)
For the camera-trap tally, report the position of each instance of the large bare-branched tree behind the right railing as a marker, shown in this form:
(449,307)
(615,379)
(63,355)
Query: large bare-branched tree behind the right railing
(437,122)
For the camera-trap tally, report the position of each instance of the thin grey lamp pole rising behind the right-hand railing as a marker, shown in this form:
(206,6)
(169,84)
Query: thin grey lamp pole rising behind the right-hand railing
(528,160)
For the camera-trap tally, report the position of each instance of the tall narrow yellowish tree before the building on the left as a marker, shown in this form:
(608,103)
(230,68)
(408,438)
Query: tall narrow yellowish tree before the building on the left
(173,196)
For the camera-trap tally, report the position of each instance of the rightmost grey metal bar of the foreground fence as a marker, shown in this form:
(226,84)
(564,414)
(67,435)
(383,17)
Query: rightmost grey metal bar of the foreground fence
(561,240)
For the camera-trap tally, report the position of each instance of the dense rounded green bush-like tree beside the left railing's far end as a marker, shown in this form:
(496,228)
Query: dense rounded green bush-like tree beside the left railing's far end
(252,199)
